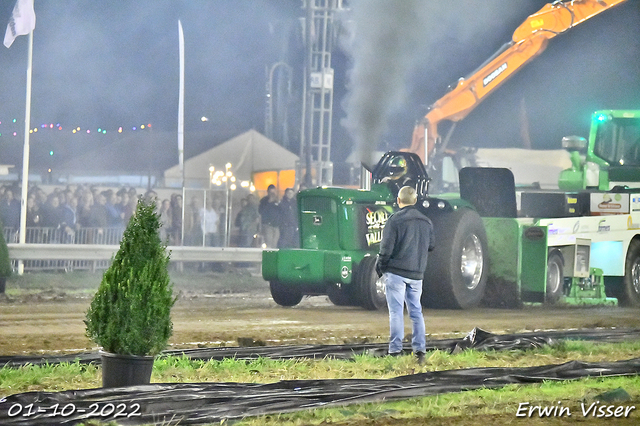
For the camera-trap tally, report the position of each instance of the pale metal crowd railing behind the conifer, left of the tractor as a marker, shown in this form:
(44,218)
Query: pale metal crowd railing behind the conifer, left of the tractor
(93,248)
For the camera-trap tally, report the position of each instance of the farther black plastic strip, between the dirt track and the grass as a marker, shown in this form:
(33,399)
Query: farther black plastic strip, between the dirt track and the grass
(477,339)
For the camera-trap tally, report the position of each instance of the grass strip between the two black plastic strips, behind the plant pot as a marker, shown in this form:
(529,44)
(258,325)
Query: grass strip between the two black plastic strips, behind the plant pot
(264,370)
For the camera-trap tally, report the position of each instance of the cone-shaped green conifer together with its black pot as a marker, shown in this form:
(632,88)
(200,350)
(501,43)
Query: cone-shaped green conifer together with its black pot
(130,315)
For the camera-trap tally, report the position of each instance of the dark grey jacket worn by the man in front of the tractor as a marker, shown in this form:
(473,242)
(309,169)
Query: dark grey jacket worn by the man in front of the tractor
(407,238)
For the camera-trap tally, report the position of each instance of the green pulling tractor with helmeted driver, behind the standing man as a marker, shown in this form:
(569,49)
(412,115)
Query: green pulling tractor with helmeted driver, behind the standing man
(340,234)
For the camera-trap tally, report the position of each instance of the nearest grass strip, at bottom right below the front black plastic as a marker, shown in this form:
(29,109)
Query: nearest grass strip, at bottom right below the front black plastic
(465,407)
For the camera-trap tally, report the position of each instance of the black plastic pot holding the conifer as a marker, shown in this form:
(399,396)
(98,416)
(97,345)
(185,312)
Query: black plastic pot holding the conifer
(125,370)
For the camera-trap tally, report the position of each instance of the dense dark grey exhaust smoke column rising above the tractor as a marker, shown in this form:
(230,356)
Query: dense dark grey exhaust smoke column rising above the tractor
(382,47)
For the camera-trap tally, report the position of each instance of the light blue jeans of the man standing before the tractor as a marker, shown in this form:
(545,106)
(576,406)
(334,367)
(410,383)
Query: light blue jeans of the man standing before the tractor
(400,290)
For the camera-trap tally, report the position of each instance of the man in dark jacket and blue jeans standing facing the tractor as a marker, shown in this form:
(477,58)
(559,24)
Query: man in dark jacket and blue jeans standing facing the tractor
(407,238)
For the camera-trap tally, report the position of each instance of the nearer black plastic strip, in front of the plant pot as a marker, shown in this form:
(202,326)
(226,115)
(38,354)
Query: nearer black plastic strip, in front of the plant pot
(197,403)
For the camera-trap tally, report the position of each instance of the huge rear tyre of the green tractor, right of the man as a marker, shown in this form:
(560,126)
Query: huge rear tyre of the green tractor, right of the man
(457,269)
